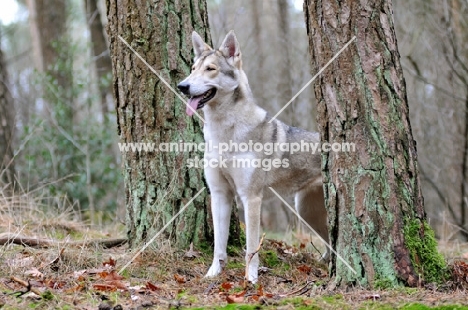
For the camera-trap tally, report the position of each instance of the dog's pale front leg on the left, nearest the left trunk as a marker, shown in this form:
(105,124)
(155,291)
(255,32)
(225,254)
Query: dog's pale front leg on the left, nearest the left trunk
(221,202)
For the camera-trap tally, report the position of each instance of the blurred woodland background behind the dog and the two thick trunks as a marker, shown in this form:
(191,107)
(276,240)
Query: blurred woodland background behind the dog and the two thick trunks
(62,116)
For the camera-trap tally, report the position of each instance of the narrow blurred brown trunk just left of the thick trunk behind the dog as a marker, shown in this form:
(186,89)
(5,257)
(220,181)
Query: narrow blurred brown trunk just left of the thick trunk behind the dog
(100,53)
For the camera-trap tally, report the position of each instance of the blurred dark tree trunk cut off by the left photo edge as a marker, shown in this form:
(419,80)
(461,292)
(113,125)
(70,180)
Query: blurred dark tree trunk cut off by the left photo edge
(7,170)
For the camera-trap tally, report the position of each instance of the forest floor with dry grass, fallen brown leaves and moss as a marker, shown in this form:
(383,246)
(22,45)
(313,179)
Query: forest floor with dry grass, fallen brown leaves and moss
(68,269)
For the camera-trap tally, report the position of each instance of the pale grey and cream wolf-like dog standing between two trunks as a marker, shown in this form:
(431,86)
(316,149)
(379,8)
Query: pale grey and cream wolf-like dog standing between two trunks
(219,86)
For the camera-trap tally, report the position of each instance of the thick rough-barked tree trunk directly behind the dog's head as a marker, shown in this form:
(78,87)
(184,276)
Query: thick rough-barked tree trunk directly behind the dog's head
(159,183)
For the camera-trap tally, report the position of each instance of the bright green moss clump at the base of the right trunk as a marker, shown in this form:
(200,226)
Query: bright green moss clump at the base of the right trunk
(421,242)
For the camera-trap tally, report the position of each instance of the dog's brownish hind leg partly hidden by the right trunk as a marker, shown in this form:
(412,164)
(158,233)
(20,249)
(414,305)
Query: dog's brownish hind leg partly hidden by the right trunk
(310,204)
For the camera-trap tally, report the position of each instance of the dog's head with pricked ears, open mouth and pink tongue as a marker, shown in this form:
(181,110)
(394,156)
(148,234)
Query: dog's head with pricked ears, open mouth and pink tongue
(215,73)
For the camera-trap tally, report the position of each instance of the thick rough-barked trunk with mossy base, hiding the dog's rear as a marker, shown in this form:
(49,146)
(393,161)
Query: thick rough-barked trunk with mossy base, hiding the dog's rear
(376,214)
